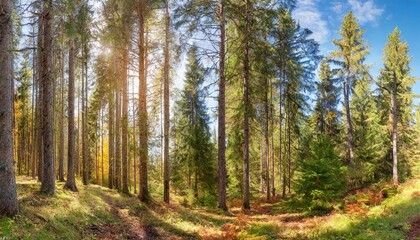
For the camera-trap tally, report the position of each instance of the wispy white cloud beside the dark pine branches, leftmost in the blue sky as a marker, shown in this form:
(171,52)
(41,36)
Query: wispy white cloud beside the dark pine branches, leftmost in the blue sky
(309,16)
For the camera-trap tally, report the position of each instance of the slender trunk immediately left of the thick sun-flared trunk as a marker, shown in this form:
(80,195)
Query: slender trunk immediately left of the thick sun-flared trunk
(125,123)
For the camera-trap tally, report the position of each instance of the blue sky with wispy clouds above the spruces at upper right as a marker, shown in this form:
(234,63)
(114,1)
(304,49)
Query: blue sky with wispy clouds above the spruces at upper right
(377,17)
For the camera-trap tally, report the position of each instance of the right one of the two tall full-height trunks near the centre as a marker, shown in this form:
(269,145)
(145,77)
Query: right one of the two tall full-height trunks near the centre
(246,193)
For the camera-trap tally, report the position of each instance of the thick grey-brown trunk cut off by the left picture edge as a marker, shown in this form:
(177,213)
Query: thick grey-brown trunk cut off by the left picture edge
(8,195)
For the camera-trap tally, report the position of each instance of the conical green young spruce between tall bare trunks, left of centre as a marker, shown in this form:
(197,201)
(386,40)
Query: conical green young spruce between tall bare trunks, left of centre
(194,149)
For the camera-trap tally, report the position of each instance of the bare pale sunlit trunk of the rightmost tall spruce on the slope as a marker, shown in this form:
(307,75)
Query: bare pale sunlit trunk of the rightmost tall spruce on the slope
(394,134)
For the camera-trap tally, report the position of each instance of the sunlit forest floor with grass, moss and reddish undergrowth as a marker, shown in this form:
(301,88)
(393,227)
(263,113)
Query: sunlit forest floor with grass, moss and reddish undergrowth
(96,212)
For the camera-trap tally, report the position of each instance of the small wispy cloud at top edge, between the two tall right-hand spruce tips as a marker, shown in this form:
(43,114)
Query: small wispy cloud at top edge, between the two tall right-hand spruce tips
(365,11)
